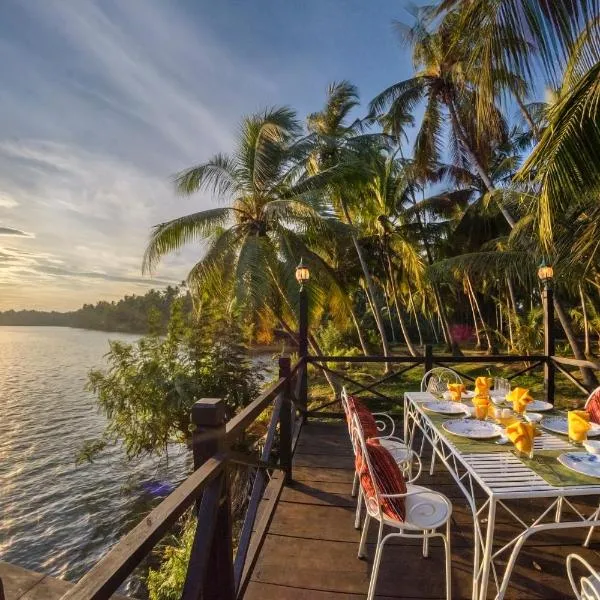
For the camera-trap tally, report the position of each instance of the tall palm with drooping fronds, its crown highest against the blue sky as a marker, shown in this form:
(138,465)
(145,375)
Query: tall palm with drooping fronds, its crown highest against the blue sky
(441,82)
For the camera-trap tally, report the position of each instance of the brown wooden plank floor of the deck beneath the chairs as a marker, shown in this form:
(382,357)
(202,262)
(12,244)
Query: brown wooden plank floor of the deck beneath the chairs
(311,545)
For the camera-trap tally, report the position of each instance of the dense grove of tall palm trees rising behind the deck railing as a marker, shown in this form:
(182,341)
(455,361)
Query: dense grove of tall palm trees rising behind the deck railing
(416,241)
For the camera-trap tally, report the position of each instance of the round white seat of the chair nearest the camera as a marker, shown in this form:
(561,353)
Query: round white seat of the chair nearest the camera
(425,510)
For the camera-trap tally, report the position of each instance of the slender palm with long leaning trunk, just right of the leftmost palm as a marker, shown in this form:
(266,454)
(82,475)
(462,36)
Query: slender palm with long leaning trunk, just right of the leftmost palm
(339,144)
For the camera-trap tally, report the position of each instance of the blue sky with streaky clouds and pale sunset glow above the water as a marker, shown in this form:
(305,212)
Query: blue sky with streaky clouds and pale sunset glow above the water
(102,101)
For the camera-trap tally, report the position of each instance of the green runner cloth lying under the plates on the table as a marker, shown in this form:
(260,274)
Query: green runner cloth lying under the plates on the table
(544,462)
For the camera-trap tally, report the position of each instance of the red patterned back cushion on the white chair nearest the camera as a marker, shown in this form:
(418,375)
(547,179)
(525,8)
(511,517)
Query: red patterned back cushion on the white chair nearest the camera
(388,479)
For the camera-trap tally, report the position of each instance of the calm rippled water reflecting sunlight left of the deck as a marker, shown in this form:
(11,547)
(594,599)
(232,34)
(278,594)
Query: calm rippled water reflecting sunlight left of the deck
(55,516)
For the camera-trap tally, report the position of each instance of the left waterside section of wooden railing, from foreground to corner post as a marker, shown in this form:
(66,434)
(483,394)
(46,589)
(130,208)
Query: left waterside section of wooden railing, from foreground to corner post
(213,571)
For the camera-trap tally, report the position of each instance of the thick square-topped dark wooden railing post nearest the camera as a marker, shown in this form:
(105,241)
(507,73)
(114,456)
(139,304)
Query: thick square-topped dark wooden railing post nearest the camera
(208,416)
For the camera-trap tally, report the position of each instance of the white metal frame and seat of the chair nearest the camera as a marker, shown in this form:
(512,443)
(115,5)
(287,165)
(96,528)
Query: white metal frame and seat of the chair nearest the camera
(425,512)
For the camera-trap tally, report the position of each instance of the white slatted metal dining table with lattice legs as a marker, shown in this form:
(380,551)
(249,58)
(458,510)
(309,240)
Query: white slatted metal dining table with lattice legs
(502,477)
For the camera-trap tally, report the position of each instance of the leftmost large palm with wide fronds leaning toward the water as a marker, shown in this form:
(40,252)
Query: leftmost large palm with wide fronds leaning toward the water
(252,241)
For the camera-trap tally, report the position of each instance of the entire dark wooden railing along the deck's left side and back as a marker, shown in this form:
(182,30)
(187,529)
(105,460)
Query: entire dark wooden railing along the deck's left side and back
(214,570)
